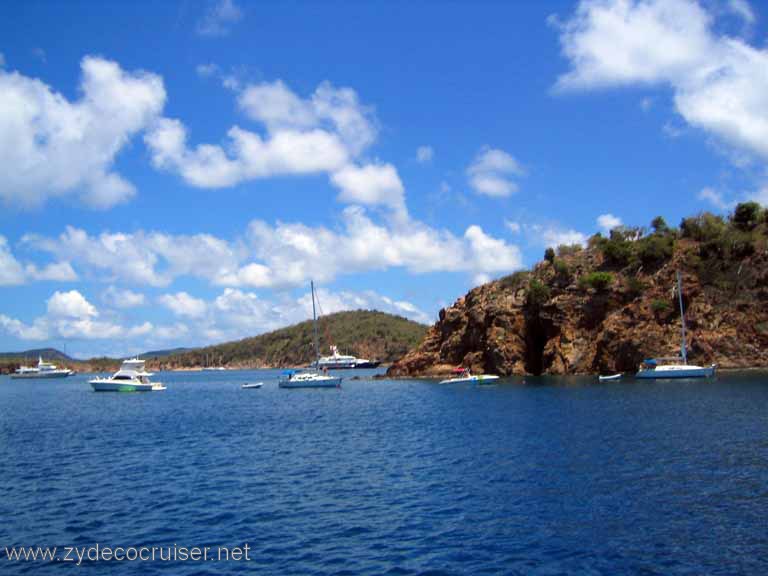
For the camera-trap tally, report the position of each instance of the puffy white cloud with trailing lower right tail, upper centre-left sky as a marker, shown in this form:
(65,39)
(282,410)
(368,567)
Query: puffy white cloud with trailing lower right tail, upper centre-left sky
(322,134)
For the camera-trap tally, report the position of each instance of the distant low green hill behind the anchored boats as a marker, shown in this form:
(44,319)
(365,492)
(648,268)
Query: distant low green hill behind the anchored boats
(367,334)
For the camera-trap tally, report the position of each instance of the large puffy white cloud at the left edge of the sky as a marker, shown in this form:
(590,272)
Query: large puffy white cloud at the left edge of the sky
(52,147)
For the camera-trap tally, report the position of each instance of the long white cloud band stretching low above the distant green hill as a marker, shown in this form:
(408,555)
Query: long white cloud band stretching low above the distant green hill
(283,255)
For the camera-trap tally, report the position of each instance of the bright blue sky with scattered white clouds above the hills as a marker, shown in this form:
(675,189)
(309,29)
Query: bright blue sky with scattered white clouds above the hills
(175,173)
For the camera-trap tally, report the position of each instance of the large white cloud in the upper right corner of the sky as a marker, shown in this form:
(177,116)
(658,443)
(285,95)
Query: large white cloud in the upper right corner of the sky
(720,83)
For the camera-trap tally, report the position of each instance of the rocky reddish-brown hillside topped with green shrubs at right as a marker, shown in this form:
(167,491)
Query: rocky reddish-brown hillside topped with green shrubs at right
(606,307)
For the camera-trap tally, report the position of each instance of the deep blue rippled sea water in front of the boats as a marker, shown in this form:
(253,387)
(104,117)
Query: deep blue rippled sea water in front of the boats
(554,476)
